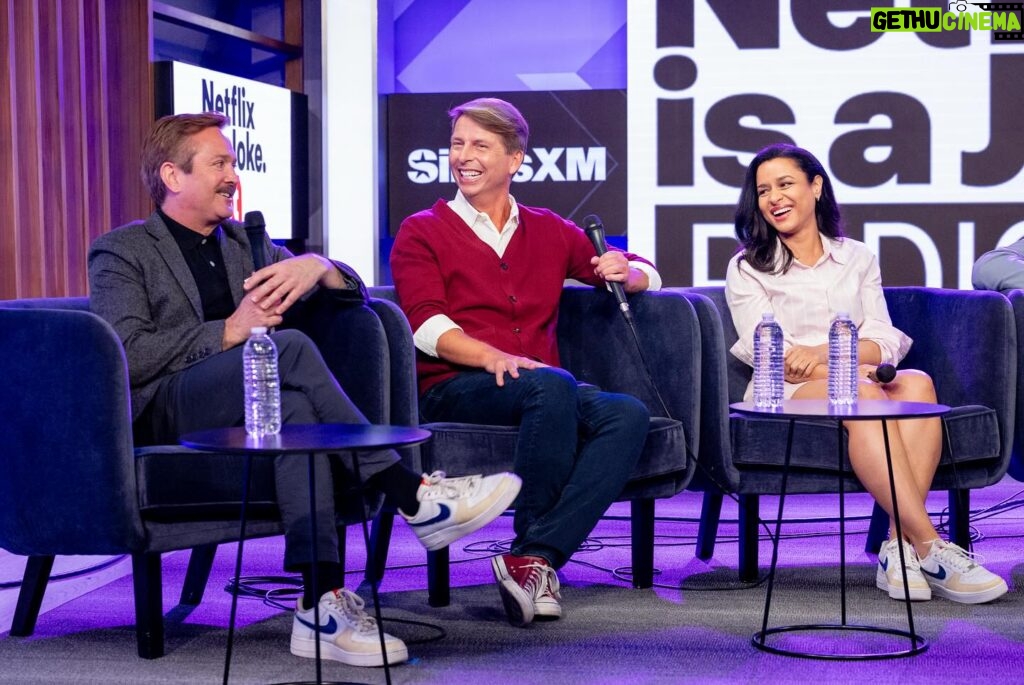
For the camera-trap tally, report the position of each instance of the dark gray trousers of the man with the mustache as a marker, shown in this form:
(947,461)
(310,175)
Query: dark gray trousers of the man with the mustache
(210,395)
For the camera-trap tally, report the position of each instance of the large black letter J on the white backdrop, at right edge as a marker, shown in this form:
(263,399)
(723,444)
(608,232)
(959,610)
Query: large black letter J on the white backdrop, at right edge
(1005,156)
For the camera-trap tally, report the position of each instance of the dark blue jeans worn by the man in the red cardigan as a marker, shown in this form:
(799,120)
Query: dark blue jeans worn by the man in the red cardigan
(577,448)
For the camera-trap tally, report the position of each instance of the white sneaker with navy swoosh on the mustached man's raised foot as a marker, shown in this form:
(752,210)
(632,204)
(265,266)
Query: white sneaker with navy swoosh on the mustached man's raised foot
(451,508)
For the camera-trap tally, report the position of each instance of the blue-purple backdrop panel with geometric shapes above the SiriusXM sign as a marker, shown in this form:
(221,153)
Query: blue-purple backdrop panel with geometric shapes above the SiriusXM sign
(503,46)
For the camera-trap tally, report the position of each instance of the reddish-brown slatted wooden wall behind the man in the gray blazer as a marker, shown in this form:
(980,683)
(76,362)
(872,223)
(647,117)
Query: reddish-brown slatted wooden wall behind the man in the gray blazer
(77,100)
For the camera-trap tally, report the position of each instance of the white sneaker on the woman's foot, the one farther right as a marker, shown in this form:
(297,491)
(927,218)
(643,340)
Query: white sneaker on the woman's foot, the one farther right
(955,575)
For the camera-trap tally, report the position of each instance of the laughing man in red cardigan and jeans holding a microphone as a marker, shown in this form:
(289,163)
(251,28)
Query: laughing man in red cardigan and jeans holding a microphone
(480,279)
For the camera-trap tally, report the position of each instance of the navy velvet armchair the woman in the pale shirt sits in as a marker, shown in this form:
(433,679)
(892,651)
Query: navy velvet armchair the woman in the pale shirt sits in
(965,340)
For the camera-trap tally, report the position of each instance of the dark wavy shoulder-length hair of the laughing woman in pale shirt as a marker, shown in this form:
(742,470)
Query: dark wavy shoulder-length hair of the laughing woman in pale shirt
(758,238)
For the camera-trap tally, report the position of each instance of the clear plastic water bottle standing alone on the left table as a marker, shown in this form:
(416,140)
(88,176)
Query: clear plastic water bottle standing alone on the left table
(260,363)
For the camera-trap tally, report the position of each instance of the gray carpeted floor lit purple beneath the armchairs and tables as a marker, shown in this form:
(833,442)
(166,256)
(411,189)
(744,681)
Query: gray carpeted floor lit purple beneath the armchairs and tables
(695,627)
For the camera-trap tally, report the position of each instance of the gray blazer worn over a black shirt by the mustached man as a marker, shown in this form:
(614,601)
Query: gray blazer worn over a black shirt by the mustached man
(141,284)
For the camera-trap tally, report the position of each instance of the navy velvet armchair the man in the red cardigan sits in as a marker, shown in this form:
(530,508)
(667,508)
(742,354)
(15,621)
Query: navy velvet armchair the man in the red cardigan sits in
(598,348)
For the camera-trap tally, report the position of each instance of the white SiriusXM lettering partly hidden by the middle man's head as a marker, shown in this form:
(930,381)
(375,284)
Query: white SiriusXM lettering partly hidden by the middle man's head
(546,164)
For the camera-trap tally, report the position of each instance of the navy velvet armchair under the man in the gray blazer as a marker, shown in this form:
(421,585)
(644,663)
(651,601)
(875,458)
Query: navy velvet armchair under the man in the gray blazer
(75,483)
